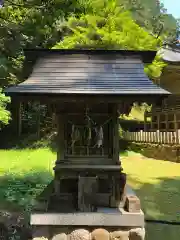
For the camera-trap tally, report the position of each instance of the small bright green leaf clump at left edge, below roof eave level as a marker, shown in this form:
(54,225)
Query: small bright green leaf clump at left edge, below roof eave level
(4,114)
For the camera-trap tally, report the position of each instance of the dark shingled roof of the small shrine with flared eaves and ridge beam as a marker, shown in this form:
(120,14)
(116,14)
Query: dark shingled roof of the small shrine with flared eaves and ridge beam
(98,72)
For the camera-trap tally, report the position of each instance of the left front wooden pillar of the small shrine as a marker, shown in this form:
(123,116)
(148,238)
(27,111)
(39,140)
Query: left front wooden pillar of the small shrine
(60,138)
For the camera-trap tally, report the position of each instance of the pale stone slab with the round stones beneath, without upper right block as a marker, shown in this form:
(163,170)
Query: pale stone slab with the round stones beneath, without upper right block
(118,223)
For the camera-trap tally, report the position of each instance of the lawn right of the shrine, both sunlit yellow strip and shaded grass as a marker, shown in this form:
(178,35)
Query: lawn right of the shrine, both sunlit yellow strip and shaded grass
(157,183)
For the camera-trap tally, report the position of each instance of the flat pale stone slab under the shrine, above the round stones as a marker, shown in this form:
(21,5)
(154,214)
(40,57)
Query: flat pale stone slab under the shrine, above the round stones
(103,217)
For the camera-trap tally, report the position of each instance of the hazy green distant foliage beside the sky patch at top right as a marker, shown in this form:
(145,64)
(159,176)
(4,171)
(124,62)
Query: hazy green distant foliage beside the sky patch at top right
(152,15)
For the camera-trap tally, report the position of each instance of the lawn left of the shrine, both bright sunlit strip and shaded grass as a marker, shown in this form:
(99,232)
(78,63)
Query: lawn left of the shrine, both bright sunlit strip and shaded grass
(23,175)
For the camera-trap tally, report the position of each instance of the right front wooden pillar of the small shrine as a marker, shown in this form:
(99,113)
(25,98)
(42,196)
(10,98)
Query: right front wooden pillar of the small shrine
(115,135)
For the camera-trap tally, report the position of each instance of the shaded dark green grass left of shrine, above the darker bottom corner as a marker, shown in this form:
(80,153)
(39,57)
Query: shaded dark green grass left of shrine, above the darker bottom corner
(17,193)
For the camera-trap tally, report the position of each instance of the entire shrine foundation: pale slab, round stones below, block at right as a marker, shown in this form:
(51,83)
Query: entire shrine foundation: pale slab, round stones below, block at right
(121,222)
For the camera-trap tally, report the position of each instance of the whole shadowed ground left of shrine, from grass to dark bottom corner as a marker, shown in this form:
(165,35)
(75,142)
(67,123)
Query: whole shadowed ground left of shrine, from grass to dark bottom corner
(17,198)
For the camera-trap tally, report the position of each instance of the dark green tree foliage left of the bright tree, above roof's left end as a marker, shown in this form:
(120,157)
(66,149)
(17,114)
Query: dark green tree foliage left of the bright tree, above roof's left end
(29,24)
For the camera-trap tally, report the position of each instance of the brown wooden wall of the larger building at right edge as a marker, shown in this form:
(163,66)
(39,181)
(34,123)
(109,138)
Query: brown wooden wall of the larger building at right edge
(167,117)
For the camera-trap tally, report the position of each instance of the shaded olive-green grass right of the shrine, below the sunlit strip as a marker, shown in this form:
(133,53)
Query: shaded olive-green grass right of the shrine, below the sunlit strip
(160,201)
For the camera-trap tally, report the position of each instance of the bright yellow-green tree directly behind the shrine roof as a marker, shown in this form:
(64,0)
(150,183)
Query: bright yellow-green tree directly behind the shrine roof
(112,28)
